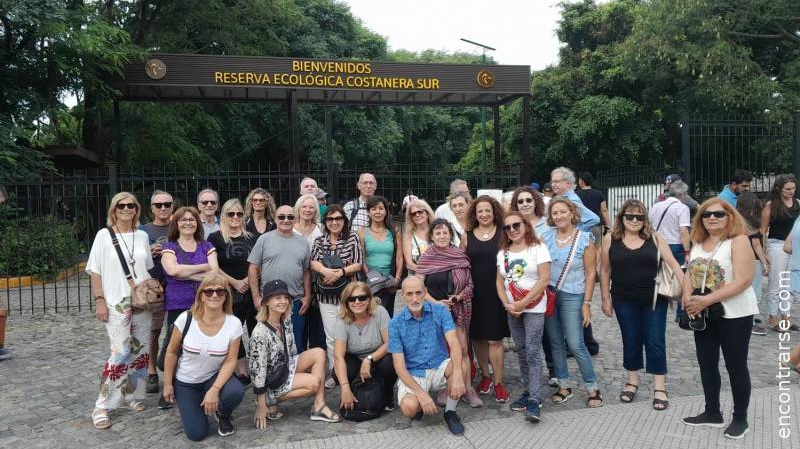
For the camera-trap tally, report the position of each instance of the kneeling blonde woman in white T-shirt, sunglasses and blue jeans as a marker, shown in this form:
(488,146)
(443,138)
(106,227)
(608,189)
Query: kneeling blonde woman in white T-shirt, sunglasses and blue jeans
(200,378)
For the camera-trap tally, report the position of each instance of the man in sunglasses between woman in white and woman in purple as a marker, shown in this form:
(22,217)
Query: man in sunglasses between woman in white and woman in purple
(161,208)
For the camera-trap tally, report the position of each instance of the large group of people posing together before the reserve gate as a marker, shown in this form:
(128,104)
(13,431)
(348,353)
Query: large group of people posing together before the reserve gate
(315,287)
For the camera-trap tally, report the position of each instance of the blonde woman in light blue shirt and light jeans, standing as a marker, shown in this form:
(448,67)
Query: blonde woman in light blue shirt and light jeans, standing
(572,275)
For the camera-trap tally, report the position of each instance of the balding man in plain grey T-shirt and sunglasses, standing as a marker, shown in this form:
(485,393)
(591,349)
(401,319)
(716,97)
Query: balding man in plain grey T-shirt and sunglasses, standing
(283,254)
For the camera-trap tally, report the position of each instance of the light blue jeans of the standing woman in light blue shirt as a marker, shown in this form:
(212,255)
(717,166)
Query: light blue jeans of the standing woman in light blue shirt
(567,323)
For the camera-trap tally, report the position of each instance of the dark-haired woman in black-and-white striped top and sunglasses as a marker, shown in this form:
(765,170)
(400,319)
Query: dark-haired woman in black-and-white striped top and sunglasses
(337,240)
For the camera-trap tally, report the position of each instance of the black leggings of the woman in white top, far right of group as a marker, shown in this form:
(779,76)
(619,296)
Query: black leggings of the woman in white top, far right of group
(733,337)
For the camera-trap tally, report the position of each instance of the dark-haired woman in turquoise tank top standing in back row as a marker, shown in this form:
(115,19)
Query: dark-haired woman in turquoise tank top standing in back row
(383,251)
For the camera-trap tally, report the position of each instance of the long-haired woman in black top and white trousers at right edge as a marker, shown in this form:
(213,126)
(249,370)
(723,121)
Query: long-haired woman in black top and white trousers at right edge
(777,220)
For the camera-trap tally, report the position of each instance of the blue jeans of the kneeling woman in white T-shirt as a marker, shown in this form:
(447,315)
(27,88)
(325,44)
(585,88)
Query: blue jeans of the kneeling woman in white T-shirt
(190,396)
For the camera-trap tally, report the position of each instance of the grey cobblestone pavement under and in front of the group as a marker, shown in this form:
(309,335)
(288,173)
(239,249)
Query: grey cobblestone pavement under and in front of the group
(48,389)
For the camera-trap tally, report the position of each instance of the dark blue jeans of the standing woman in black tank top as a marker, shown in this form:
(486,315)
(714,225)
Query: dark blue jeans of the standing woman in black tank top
(641,326)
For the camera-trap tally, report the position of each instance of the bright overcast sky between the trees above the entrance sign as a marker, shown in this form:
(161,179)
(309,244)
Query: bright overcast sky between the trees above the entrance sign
(522,31)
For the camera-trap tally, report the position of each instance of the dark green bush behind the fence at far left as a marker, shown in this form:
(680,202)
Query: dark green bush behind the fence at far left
(39,247)
